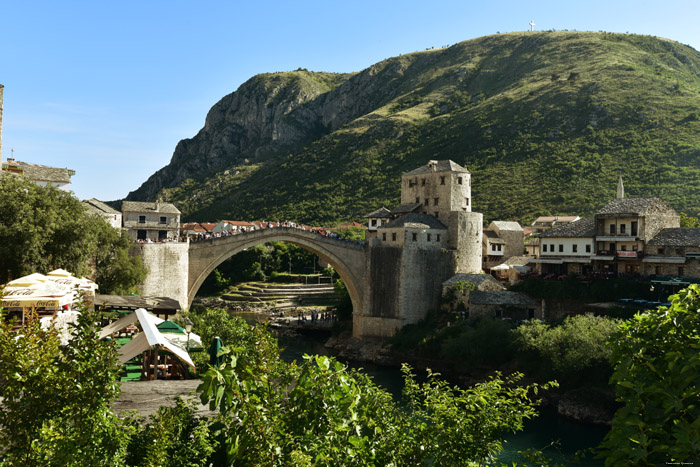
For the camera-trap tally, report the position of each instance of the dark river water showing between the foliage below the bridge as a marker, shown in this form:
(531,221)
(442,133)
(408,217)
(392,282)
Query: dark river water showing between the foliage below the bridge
(567,435)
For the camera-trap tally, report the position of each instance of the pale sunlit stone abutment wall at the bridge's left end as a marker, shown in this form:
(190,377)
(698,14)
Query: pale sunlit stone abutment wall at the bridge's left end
(168,265)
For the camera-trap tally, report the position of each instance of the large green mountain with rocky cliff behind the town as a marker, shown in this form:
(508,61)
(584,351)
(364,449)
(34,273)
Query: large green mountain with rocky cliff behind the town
(545,121)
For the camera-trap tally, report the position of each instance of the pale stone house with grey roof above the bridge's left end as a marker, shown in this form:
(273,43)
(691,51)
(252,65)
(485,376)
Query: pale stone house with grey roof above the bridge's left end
(151,221)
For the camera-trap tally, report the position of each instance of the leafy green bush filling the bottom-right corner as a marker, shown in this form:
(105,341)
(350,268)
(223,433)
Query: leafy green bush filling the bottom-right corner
(656,357)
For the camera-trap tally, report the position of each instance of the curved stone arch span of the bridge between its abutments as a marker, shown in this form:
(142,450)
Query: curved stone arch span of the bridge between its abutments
(347,258)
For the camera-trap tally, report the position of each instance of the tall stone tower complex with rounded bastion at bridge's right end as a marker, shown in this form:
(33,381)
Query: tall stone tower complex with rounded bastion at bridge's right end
(432,235)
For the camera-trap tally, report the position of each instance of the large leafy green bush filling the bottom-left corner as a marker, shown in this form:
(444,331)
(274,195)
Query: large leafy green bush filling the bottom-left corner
(56,407)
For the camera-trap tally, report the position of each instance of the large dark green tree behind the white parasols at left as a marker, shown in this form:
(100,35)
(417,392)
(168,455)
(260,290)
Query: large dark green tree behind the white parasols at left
(44,228)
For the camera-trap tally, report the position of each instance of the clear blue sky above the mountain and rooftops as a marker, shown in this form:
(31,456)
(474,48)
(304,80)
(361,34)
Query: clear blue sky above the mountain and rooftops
(108,88)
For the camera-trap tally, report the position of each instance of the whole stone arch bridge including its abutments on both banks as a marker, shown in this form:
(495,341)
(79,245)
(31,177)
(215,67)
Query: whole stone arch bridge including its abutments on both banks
(389,286)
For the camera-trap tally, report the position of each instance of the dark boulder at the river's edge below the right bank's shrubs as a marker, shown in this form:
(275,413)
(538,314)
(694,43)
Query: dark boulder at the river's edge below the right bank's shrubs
(588,405)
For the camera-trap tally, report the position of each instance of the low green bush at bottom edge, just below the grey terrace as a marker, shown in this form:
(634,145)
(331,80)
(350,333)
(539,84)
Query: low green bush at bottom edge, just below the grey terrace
(173,437)
